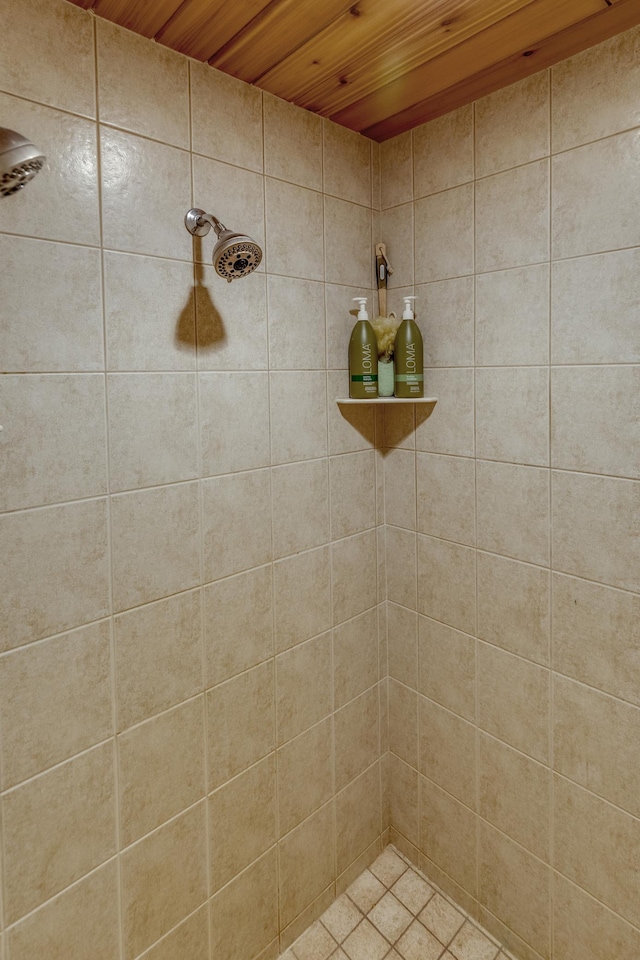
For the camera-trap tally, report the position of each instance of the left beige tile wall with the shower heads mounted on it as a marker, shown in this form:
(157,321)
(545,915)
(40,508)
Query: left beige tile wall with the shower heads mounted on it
(192,699)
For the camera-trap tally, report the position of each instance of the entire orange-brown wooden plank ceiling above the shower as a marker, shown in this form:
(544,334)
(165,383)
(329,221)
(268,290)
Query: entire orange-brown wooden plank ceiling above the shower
(377,66)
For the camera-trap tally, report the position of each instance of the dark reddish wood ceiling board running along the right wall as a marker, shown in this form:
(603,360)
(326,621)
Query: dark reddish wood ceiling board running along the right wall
(561,45)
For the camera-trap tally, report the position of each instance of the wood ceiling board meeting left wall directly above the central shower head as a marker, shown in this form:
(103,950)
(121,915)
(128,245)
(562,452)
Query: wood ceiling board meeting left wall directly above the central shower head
(279,30)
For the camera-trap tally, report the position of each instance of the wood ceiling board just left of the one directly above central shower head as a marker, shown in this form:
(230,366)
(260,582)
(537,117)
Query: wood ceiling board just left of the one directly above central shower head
(199,28)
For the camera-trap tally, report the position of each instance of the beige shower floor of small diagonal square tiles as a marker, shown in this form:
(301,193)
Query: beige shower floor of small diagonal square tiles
(391,911)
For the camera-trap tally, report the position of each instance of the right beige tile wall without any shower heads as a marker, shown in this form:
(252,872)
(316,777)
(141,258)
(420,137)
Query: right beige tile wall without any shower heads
(514,604)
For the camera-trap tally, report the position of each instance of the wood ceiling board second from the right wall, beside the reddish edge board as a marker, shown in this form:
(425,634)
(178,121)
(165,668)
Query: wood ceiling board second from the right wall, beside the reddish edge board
(520,31)
